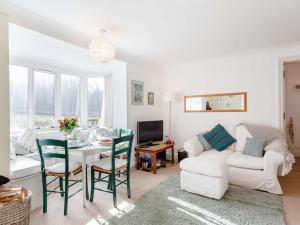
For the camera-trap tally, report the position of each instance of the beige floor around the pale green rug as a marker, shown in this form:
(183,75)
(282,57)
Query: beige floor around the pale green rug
(102,209)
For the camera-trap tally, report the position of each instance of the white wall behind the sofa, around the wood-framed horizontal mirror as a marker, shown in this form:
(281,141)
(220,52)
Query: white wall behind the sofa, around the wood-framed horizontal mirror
(257,73)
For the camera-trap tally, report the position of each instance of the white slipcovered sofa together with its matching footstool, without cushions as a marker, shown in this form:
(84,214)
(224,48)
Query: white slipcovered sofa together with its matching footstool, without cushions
(199,171)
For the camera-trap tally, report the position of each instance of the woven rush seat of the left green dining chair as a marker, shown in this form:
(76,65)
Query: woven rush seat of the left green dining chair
(59,169)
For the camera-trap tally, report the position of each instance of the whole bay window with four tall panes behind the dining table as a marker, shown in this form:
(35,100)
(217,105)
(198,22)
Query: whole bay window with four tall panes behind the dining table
(39,97)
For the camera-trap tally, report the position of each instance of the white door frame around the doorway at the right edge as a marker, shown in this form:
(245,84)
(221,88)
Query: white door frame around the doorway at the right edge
(282,89)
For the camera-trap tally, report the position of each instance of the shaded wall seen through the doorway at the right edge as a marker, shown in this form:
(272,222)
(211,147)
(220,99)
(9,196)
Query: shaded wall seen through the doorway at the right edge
(292,102)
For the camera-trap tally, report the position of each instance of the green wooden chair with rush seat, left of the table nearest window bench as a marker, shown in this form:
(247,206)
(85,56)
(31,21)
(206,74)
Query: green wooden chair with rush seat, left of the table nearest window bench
(60,171)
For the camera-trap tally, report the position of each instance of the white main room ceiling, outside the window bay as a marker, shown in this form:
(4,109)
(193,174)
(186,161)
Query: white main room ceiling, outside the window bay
(169,32)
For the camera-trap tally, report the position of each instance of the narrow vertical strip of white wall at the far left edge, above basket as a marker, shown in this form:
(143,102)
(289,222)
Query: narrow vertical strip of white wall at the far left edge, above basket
(4,96)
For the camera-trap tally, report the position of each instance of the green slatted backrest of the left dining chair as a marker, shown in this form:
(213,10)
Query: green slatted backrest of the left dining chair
(49,154)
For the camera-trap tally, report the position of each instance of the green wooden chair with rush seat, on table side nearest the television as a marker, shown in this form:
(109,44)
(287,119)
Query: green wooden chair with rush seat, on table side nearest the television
(113,165)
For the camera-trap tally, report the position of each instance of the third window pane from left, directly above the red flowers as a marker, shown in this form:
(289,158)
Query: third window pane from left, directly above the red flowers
(70,95)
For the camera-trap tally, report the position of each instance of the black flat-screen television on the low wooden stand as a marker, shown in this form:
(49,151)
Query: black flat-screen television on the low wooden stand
(150,131)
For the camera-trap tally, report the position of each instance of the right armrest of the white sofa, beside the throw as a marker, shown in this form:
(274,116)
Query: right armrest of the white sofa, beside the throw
(272,160)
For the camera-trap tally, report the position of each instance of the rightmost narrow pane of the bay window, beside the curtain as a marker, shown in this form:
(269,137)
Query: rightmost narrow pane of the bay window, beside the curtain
(95,99)
